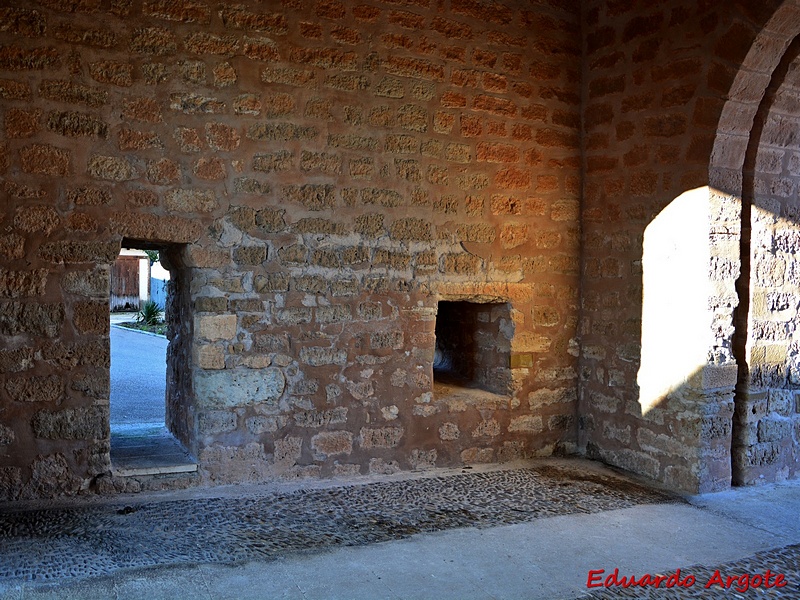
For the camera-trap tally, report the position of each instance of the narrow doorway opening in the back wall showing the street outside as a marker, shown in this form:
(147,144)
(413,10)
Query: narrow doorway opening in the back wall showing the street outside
(147,356)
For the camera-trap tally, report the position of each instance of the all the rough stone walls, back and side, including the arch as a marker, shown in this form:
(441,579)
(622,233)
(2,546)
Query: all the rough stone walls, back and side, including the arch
(321,175)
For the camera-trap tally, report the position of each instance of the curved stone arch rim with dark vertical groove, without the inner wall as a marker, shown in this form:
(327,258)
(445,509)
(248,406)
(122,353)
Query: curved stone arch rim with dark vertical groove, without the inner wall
(733,175)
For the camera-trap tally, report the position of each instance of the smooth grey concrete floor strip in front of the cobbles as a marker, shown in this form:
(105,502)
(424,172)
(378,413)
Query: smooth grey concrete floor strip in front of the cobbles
(544,558)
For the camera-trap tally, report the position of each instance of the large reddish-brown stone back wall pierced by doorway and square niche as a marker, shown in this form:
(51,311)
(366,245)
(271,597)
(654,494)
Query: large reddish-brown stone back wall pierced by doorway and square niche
(331,170)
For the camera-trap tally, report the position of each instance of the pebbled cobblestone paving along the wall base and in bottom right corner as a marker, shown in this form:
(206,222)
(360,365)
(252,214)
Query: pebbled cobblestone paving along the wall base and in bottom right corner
(70,544)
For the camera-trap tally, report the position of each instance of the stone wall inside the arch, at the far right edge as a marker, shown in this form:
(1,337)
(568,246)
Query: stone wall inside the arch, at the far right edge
(766,444)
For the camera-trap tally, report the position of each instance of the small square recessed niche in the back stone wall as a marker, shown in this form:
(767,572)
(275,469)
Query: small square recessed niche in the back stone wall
(473,346)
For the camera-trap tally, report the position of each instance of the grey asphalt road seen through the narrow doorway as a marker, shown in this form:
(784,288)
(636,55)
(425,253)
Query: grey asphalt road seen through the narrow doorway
(138,377)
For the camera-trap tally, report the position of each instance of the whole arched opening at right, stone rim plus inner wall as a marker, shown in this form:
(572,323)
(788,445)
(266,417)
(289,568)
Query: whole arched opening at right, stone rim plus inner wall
(756,165)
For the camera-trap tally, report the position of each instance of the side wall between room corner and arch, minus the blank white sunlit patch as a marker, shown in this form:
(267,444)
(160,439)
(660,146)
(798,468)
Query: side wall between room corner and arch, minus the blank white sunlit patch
(655,83)
